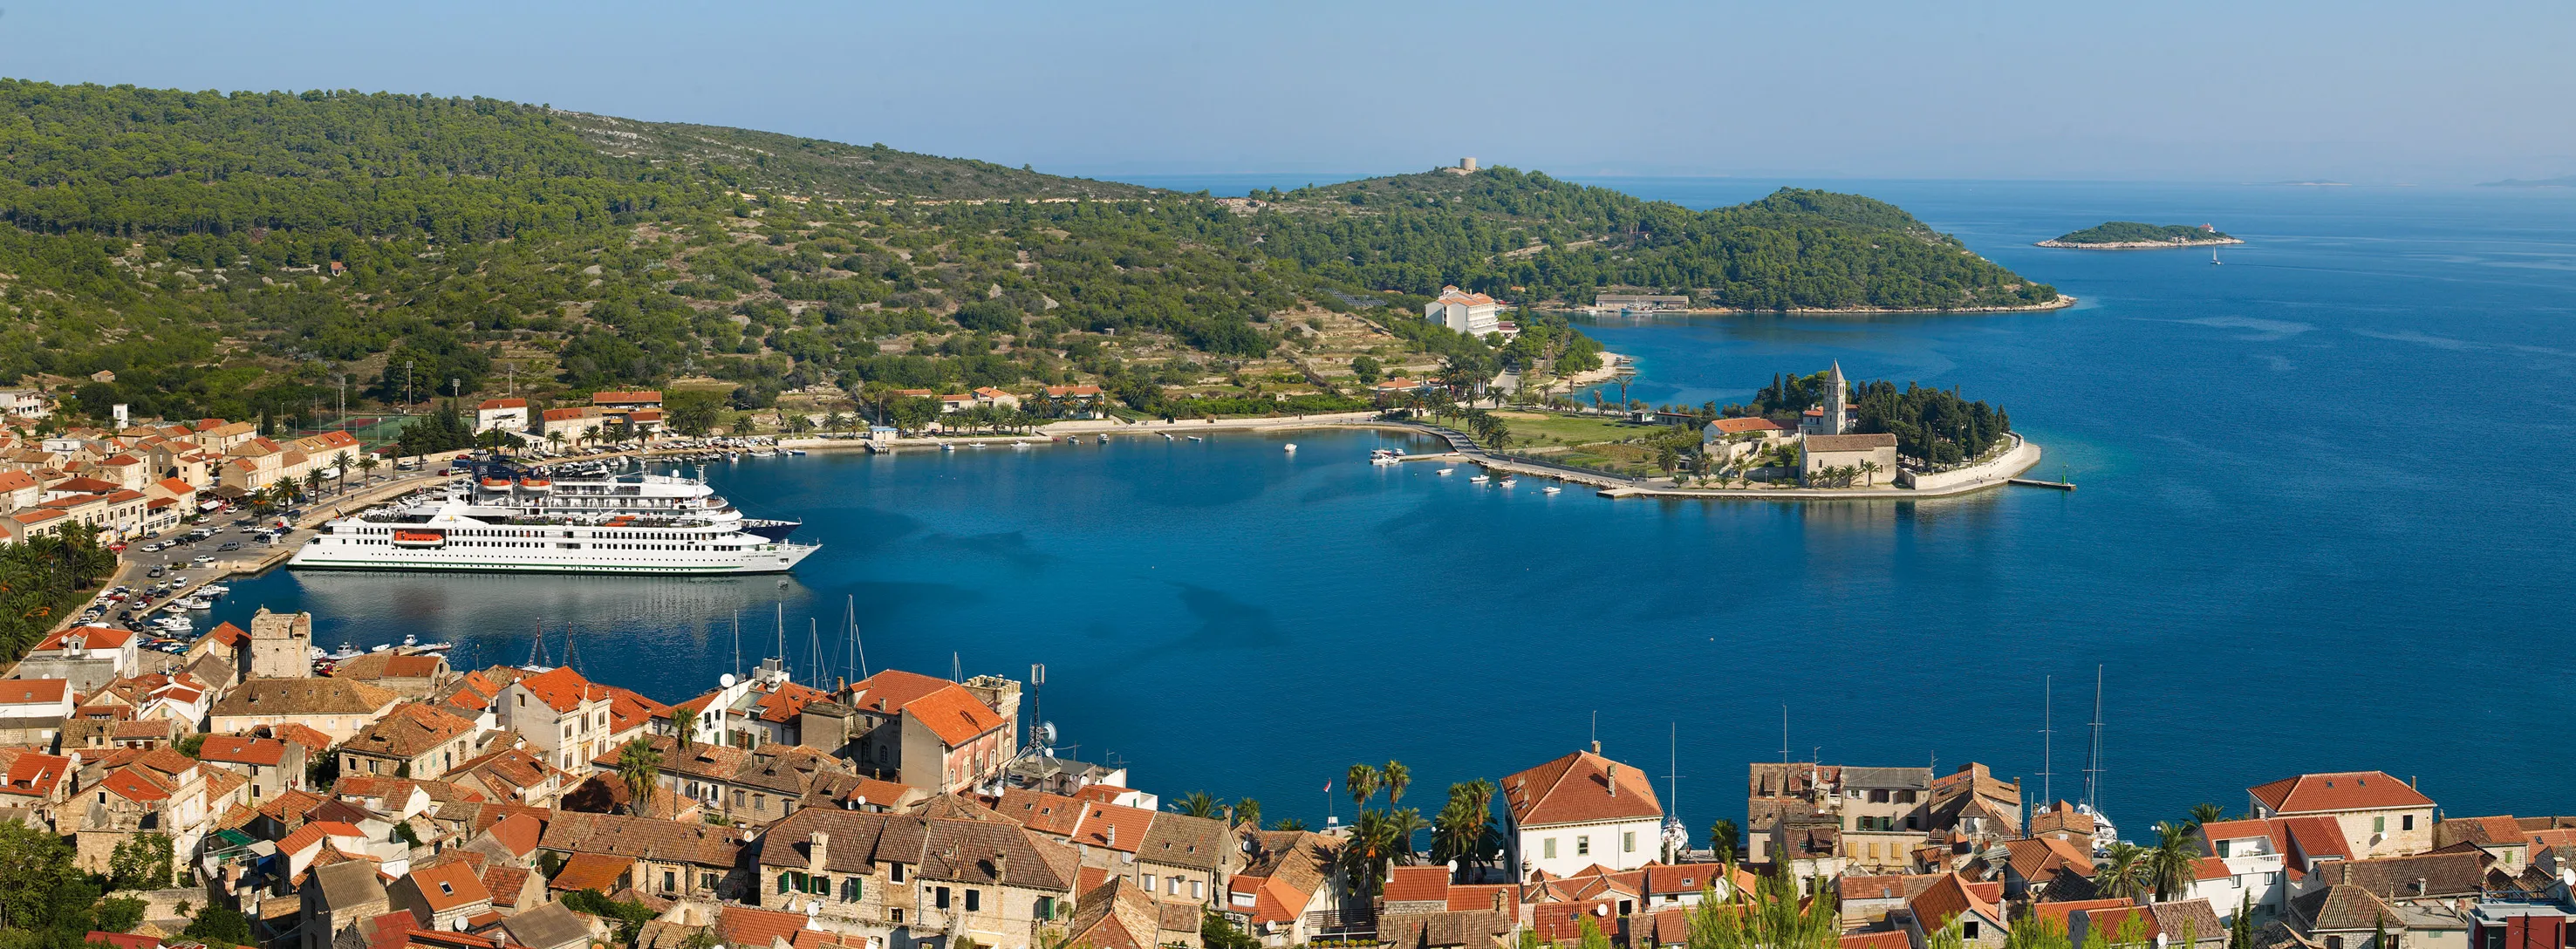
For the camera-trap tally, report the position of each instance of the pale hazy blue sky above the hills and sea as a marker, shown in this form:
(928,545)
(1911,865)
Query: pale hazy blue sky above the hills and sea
(2139,92)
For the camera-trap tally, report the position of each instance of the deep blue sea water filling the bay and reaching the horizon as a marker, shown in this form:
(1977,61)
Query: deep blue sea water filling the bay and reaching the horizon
(2322,525)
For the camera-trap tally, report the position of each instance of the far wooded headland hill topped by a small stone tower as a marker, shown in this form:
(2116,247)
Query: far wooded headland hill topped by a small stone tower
(1526,236)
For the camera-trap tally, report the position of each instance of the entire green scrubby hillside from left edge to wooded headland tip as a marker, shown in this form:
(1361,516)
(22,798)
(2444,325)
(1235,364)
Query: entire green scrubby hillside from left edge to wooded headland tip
(246,254)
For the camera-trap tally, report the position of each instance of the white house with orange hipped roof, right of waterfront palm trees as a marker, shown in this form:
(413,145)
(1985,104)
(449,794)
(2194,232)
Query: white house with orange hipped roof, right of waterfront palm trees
(1580,811)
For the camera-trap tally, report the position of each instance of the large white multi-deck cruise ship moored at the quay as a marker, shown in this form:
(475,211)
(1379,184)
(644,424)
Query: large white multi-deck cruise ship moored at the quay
(519,522)
